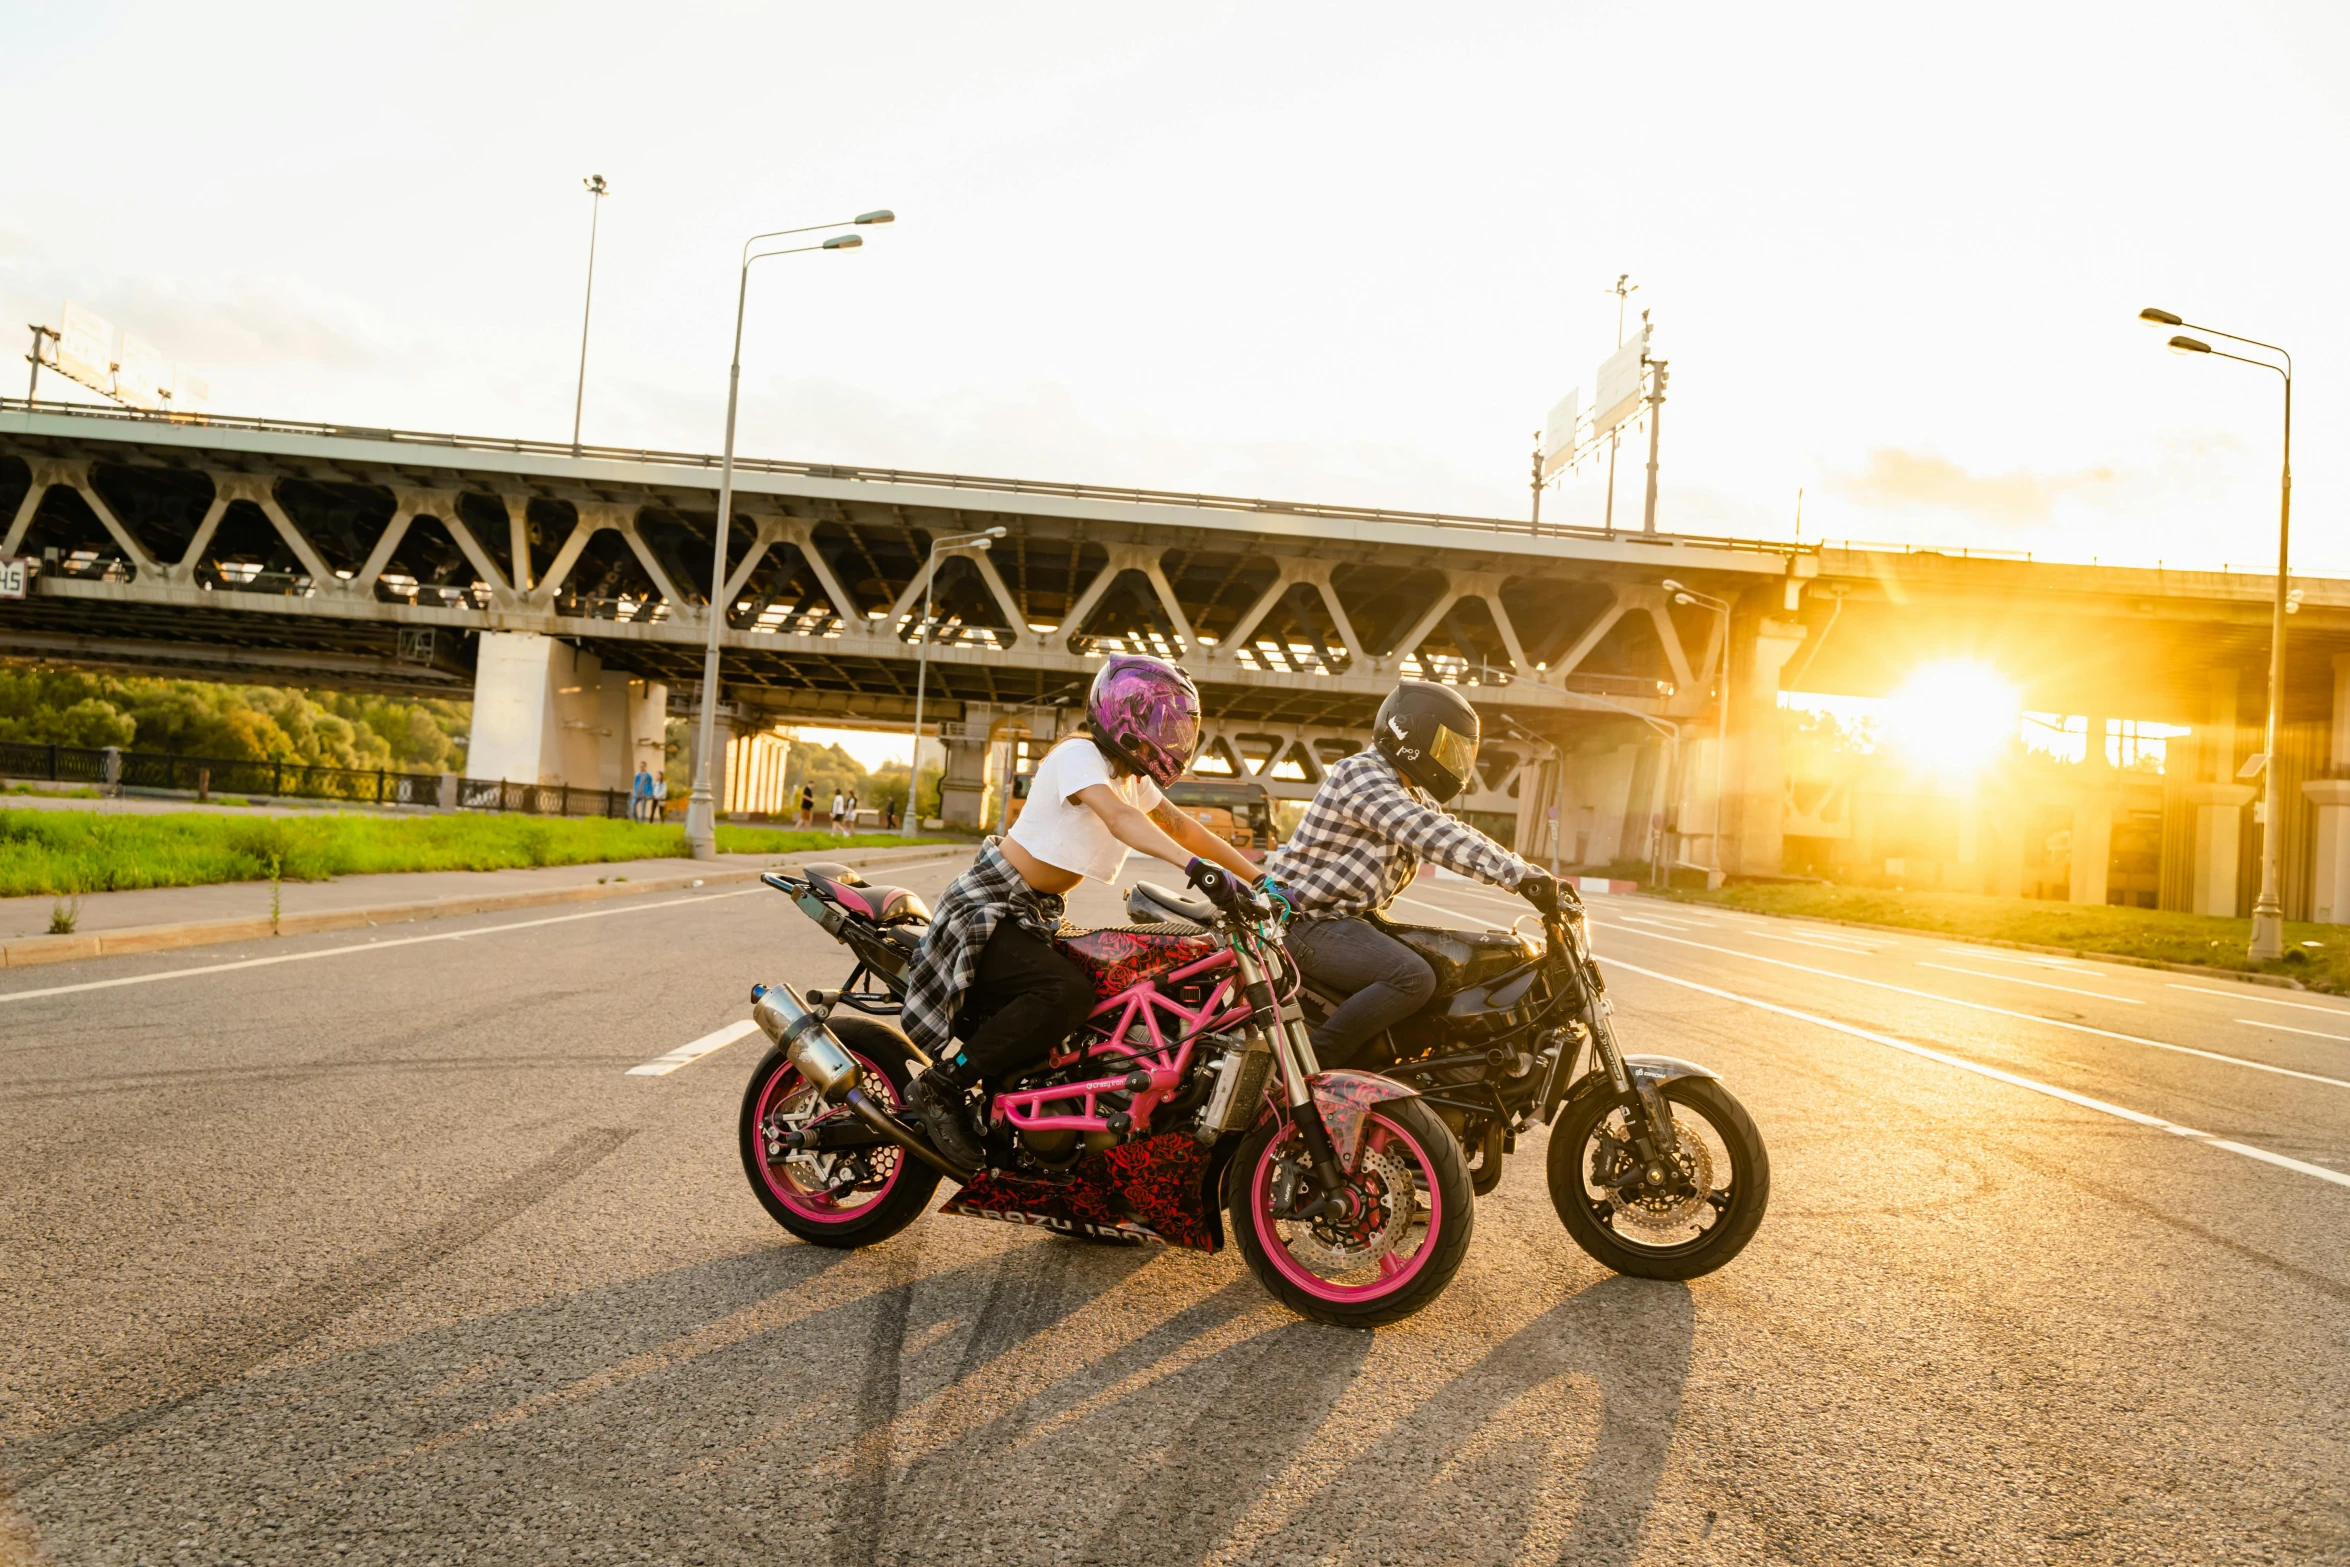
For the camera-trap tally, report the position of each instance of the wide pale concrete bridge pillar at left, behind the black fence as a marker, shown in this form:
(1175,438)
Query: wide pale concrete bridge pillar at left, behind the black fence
(546,711)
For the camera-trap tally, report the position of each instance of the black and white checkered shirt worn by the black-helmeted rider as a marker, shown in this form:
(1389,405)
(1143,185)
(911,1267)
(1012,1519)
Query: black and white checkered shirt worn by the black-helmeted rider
(1364,838)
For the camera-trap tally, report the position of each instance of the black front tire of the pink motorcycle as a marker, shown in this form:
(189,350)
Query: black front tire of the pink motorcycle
(1444,1173)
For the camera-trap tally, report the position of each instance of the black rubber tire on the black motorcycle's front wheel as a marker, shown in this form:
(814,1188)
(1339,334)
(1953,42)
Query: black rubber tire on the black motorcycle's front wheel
(1735,1204)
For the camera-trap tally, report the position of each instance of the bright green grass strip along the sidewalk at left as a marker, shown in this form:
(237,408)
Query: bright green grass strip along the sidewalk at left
(65,854)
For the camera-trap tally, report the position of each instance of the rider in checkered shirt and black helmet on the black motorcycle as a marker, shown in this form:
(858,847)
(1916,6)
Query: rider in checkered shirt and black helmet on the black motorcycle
(1362,842)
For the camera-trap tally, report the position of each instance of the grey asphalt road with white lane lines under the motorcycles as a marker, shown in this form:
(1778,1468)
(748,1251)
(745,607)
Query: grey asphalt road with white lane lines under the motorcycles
(340,1251)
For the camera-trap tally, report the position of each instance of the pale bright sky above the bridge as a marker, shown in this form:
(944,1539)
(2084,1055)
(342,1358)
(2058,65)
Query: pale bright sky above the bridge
(1303,253)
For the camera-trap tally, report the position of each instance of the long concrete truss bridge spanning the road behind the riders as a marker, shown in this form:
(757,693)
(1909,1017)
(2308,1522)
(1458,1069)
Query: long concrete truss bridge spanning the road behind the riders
(568,596)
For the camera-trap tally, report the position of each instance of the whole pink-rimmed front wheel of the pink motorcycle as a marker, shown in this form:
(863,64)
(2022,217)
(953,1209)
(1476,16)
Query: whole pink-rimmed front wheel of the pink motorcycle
(1399,1246)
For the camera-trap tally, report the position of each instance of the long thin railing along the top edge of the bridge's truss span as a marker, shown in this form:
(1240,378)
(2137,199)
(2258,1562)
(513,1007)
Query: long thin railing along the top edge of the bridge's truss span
(906,476)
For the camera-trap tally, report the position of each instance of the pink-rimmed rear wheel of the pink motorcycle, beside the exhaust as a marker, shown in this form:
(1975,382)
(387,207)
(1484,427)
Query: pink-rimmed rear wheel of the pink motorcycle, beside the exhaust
(795,1188)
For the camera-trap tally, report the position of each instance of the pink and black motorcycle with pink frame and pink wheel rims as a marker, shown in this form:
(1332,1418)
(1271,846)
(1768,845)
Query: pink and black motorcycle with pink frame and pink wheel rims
(1193,1091)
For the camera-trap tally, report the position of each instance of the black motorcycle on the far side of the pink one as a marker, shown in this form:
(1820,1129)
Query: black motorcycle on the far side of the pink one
(1656,1169)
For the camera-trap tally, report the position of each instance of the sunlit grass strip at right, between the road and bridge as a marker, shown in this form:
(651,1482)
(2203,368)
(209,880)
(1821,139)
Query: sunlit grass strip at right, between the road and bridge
(2133,934)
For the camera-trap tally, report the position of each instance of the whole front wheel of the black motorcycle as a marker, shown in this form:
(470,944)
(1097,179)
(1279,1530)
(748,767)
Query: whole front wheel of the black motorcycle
(1693,1223)
